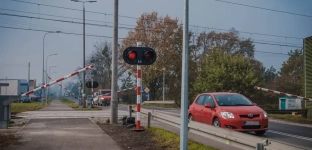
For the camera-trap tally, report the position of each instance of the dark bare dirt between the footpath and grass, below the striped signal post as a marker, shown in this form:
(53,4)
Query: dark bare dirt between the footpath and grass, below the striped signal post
(131,140)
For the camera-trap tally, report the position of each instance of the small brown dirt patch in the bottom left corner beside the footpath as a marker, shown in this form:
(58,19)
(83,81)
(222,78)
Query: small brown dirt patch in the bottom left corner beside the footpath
(7,139)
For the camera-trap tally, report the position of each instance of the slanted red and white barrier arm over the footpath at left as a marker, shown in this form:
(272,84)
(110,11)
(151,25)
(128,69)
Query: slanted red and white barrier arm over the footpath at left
(58,80)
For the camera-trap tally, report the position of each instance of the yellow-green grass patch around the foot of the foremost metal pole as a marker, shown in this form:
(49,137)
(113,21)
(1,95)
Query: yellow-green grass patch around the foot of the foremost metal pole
(172,140)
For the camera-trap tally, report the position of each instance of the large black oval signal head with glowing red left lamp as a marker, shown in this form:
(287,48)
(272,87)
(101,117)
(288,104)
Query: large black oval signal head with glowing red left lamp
(139,55)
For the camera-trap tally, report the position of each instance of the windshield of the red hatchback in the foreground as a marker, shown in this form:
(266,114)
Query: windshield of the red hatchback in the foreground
(232,100)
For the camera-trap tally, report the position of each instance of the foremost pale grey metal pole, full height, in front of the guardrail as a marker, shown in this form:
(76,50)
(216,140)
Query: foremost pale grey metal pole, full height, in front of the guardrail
(184,85)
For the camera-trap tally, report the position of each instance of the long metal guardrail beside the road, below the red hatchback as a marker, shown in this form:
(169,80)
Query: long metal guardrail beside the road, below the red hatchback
(229,137)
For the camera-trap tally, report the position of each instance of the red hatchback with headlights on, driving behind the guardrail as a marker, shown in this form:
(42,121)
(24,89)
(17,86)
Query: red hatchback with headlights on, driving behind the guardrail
(229,110)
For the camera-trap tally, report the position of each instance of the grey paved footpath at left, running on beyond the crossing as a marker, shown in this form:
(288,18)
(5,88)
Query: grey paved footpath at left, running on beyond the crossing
(63,134)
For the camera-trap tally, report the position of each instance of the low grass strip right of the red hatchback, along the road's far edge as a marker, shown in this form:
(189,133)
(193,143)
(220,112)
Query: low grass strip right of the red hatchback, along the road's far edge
(292,118)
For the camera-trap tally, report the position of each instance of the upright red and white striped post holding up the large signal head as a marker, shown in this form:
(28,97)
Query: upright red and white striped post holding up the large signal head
(138,92)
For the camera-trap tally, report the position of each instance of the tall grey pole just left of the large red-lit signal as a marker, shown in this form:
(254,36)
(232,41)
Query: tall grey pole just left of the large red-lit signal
(114,101)
